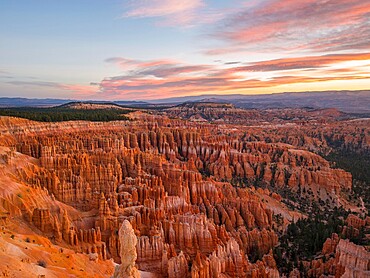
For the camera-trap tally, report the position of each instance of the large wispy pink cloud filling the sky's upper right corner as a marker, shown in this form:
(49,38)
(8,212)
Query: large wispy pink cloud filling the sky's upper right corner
(284,25)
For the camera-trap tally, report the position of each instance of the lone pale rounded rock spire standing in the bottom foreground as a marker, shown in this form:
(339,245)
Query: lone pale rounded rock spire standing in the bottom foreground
(128,242)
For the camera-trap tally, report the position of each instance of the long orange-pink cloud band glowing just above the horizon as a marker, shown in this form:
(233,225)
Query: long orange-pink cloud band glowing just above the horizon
(161,79)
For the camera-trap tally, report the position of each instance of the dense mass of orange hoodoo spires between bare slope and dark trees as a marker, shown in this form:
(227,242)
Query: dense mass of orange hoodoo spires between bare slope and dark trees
(181,192)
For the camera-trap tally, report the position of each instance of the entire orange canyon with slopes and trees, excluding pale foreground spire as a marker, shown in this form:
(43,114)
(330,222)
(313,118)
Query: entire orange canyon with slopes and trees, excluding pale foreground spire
(210,190)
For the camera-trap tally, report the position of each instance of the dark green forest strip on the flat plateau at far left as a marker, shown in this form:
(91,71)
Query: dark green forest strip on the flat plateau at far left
(60,114)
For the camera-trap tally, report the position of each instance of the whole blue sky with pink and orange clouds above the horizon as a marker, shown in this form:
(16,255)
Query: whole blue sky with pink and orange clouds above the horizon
(152,49)
